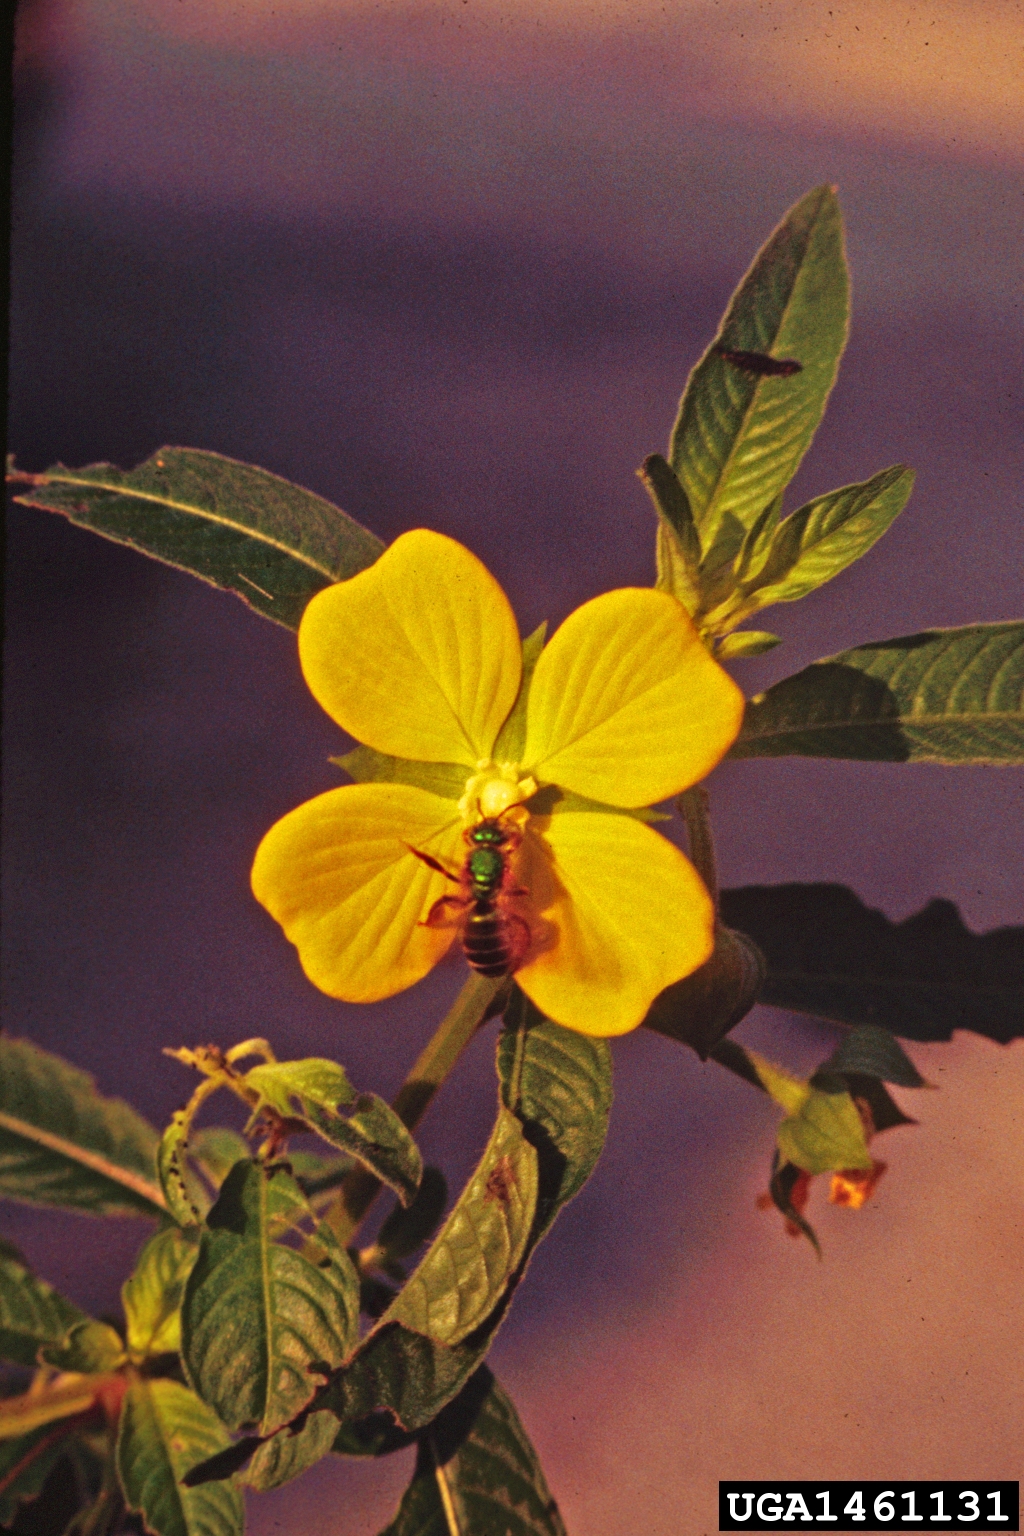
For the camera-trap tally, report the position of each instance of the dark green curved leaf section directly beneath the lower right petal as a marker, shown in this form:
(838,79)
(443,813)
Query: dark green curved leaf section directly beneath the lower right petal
(560,1085)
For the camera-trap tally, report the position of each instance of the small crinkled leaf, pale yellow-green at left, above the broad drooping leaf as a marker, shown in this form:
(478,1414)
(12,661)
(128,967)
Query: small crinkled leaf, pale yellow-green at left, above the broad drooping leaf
(319,1091)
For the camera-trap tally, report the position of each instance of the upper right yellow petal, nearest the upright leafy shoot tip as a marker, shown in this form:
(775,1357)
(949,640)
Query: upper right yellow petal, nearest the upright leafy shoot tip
(627,706)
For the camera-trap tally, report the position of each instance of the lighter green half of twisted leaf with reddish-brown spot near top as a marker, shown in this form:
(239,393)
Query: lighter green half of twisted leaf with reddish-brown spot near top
(467,1268)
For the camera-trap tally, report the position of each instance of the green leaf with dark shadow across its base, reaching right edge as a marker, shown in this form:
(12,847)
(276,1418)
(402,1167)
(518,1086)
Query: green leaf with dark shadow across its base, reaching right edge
(948,697)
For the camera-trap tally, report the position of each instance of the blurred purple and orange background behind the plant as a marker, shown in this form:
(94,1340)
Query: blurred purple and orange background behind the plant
(449,266)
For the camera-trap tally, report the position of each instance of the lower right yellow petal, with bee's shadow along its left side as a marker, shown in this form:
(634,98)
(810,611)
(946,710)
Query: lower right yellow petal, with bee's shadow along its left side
(629,915)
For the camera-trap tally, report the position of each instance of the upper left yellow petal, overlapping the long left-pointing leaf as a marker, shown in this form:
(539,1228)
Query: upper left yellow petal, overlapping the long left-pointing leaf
(417,657)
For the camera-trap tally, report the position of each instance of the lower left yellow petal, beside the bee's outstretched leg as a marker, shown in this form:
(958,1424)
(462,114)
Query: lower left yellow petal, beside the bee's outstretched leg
(339,876)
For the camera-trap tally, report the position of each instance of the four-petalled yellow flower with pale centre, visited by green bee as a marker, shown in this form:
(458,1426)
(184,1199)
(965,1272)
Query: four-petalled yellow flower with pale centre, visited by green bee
(420,658)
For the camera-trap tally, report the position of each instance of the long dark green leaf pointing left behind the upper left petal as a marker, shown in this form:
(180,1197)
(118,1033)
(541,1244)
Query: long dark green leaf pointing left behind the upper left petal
(233,525)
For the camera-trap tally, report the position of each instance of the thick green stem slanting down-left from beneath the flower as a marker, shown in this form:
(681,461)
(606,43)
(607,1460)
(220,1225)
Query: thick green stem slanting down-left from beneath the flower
(472,1007)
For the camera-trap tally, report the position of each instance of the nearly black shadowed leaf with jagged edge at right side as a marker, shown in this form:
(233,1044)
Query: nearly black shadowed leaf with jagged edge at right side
(923,978)
